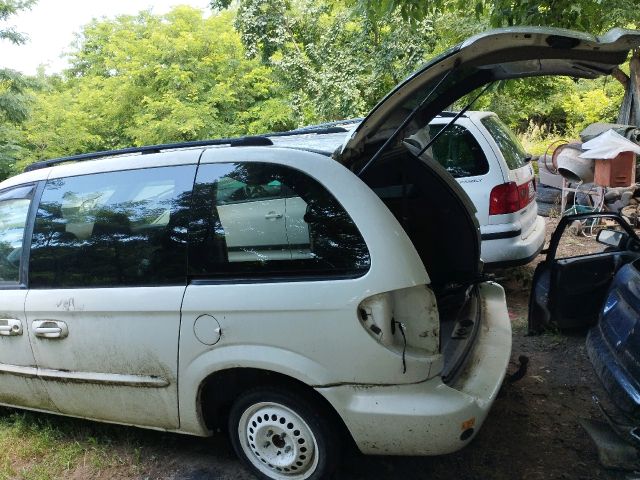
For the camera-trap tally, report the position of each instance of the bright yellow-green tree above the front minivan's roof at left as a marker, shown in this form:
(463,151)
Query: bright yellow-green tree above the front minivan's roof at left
(149,79)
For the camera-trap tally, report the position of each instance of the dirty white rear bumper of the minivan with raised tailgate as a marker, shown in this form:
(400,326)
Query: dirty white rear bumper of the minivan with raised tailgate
(431,418)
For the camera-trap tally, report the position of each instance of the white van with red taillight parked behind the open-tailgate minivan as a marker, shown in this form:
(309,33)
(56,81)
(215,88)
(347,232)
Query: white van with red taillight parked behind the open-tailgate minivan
(486,159)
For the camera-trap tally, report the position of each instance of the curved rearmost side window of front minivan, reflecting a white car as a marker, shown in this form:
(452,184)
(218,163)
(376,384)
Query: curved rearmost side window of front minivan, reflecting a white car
(261,220)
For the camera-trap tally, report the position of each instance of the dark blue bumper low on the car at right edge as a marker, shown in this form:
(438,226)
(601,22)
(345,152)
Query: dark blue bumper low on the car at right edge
(621,387)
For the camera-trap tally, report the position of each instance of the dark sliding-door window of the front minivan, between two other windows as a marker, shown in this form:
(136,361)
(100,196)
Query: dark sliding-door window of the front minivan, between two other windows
(125,228)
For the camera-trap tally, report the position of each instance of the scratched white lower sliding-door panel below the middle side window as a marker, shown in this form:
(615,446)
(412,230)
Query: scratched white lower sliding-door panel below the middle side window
(119,360)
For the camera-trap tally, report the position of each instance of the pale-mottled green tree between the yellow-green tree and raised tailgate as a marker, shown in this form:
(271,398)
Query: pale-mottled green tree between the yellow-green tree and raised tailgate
(334,60)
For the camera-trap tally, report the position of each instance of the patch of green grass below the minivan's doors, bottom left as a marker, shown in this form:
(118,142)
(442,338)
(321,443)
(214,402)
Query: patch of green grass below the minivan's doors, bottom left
(43,447)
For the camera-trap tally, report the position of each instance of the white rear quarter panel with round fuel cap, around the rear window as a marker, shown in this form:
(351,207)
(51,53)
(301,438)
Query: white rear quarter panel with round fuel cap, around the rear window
(313,310)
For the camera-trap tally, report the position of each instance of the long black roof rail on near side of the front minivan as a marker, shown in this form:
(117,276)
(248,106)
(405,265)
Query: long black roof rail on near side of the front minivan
(233,142)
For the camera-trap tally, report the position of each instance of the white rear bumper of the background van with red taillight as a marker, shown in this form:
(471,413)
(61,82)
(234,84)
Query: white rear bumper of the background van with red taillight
(516,250)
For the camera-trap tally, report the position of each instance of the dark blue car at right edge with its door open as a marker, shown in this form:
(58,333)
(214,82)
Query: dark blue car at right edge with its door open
(600,290)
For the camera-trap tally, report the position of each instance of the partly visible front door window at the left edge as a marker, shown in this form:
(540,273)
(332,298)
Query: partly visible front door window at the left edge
(14,210)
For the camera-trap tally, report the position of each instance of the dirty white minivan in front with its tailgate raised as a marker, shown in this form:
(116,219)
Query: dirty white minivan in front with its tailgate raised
(178,287)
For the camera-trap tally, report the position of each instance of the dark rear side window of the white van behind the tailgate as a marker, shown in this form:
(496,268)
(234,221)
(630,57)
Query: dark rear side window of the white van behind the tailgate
(458,152)
